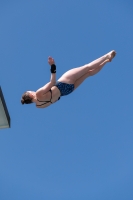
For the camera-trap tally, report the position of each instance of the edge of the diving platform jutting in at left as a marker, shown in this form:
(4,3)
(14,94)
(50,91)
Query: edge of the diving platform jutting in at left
(4,115)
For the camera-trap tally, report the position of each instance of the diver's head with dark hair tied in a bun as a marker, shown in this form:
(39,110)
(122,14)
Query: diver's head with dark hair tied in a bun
(27,97)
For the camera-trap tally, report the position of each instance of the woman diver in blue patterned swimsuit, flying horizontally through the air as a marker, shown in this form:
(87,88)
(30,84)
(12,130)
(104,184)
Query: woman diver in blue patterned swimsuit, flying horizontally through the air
(66,84)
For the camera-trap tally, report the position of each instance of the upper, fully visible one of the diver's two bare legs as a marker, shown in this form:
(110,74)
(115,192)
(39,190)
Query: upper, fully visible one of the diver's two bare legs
(74,74)
